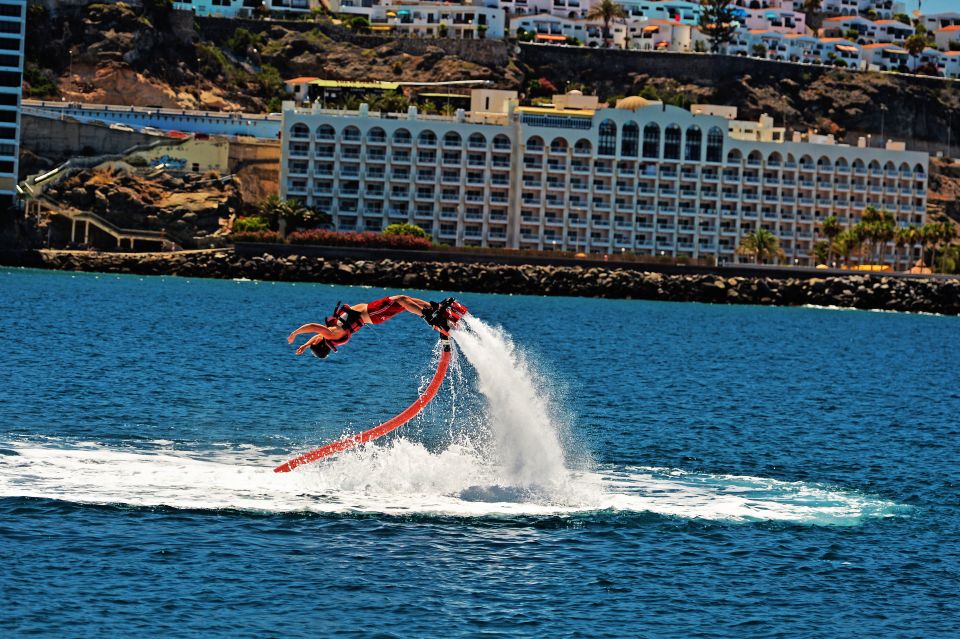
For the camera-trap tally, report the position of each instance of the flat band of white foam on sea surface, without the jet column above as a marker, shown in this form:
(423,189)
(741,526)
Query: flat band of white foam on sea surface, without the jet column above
(404,478)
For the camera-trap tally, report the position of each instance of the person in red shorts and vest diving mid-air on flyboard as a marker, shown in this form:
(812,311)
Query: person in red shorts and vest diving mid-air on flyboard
(347,320)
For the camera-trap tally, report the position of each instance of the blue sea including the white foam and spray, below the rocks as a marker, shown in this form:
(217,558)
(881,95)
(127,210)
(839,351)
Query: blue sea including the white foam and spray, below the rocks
(591,468)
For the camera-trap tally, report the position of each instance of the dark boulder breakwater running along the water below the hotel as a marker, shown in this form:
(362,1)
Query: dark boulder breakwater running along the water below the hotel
(873,291)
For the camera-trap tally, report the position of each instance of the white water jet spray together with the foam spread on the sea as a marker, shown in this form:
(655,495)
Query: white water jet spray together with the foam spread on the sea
(508,460)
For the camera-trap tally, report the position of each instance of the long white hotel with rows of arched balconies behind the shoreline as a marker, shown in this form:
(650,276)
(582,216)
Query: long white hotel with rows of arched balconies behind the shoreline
(646,178)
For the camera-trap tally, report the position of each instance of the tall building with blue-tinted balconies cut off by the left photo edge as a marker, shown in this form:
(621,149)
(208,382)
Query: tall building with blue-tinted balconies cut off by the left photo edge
(12,25)
